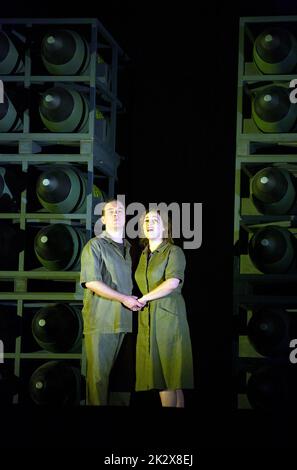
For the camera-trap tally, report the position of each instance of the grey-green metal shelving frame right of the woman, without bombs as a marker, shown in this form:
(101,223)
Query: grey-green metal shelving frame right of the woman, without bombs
(250,290)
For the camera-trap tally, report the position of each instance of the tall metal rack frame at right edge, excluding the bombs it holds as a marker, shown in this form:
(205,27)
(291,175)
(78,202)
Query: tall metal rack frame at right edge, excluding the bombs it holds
(256,150)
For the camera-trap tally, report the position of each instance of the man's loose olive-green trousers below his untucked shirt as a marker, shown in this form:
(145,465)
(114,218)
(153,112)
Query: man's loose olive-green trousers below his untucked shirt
(101,352)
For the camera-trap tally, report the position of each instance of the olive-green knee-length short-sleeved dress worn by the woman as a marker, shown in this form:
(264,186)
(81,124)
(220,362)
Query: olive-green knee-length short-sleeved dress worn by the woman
(163,350)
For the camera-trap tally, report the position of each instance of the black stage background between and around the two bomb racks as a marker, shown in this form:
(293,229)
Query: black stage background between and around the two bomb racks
(178,136)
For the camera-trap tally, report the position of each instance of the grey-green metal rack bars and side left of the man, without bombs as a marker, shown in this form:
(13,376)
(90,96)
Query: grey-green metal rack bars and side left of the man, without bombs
(94,151)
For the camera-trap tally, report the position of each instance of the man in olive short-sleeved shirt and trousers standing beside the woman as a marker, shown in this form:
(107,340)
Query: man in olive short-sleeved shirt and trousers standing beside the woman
(107,278)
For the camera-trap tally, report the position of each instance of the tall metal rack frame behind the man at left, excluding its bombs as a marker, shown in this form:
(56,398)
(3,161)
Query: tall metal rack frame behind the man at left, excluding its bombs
(30,147)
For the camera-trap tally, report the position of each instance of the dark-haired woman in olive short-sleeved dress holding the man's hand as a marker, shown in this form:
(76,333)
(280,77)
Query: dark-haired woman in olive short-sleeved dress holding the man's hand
(163,352)
